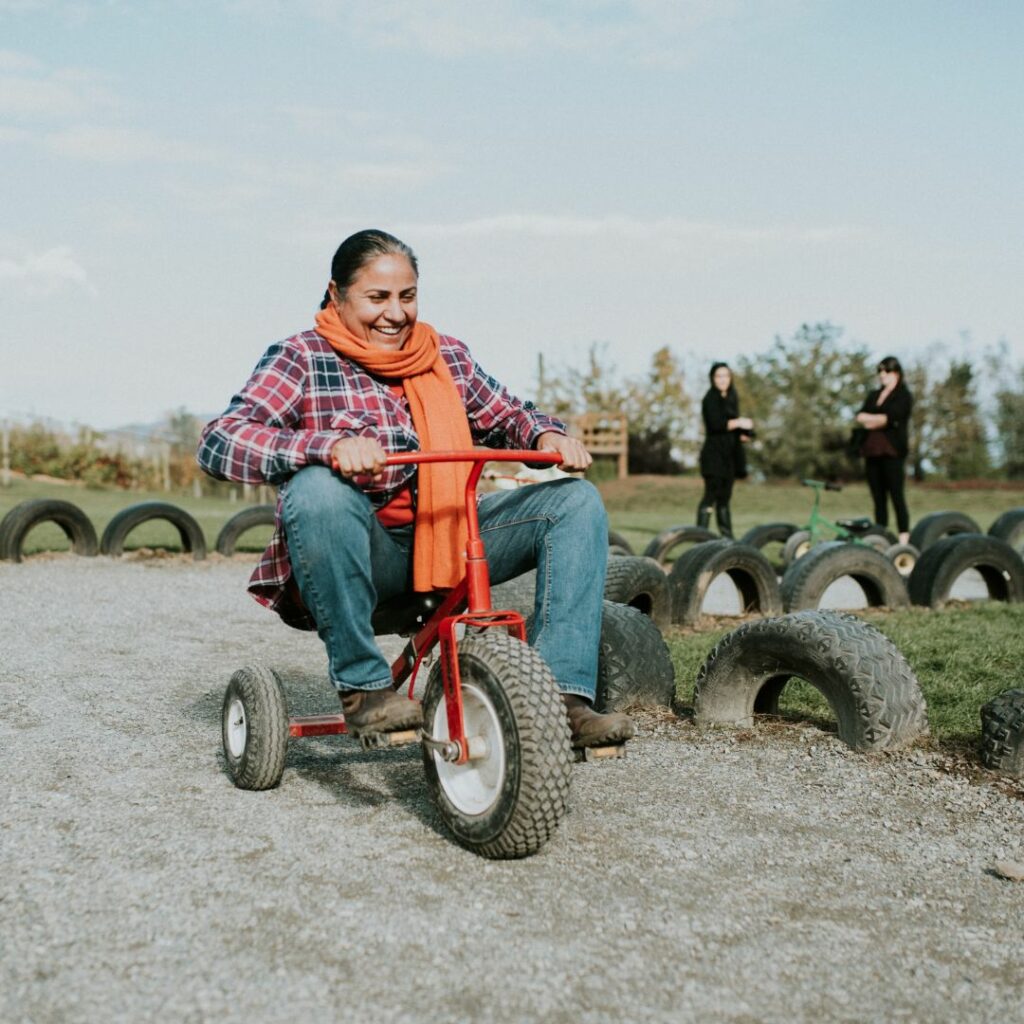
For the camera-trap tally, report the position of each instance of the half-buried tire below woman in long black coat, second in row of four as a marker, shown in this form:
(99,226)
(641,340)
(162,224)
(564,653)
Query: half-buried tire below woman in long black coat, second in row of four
(748,568)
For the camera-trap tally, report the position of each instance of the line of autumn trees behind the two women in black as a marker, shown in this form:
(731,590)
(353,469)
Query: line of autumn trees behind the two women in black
(803,393)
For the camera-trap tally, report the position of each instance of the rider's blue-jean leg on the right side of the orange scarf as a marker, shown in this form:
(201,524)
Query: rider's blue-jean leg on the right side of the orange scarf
(563,529)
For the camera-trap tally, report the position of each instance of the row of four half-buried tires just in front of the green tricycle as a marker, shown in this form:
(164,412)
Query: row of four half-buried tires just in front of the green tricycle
(679,596)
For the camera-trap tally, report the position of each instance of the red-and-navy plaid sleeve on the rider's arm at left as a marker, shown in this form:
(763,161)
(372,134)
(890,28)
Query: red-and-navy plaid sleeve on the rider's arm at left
(260,438)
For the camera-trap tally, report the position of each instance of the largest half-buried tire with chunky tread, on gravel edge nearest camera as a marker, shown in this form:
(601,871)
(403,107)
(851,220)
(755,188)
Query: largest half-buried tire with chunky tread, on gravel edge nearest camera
(867,681)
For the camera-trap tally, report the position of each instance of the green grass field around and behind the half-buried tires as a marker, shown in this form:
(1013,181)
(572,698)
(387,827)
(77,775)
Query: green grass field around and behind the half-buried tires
(962,656)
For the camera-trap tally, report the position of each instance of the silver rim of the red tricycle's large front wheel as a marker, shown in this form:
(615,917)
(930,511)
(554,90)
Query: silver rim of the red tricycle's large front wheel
(475,787)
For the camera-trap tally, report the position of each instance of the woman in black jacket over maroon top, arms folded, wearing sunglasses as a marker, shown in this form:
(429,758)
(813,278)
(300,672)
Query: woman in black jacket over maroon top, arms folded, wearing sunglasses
(885,418)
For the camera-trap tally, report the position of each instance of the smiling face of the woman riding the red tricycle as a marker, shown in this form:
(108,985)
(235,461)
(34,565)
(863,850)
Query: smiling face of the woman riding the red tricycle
(380,305)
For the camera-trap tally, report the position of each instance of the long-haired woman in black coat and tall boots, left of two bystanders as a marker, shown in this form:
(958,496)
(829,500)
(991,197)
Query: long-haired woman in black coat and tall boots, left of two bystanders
(722,458)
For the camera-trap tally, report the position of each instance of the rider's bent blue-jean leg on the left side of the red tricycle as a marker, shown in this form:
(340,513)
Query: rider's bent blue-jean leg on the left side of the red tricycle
(345,562)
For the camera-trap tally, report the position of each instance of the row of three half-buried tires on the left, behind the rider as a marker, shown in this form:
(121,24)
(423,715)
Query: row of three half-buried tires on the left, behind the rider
(17,525)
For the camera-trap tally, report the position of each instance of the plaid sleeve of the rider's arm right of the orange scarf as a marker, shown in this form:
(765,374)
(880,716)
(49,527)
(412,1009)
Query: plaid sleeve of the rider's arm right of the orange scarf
(497,417)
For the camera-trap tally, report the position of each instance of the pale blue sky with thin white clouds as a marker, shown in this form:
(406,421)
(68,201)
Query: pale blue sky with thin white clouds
(175,179)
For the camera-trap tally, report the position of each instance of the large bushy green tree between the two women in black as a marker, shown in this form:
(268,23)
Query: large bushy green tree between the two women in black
(802,396)
